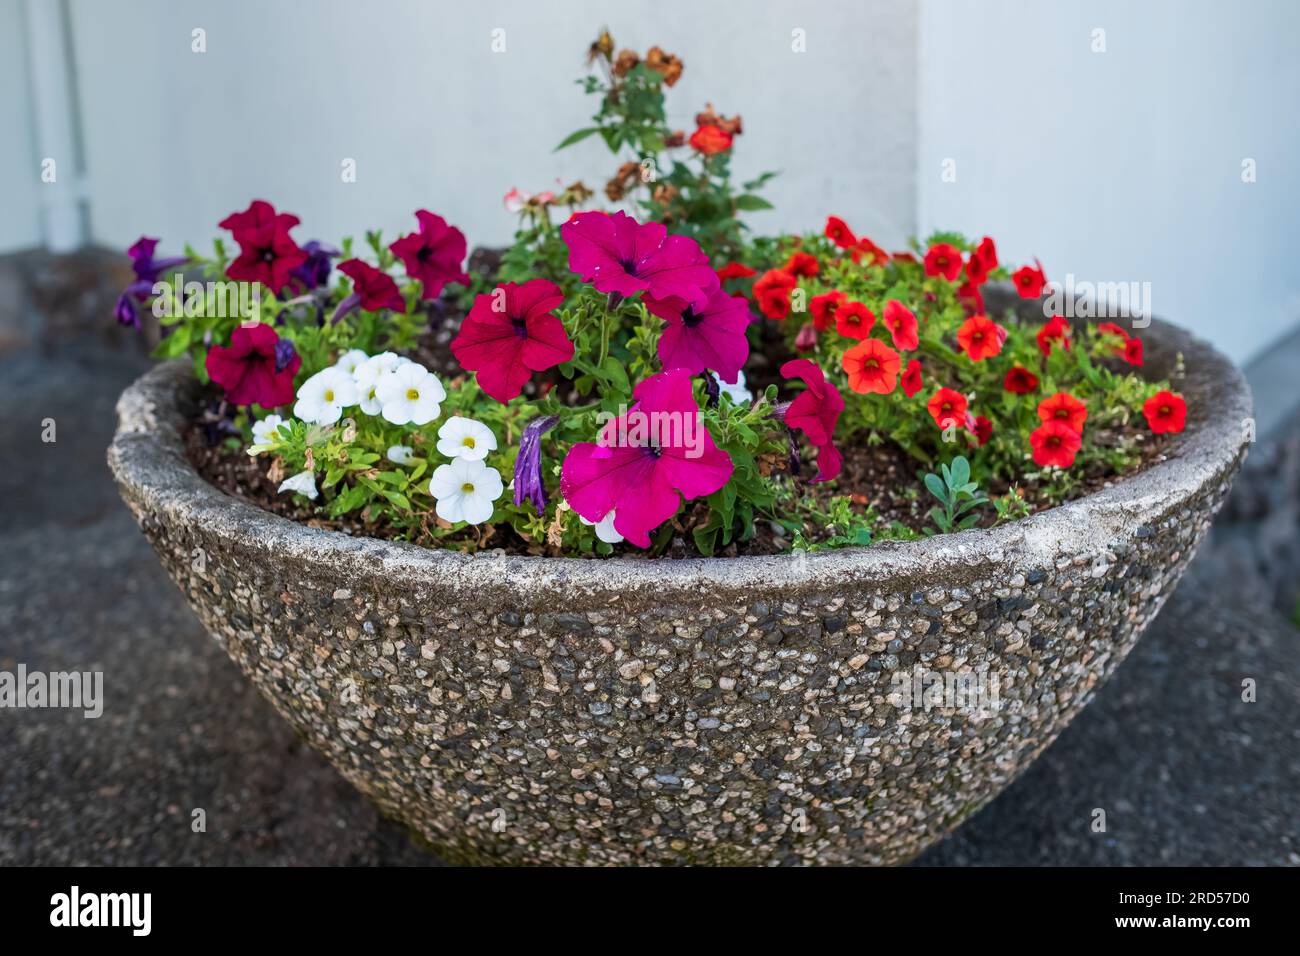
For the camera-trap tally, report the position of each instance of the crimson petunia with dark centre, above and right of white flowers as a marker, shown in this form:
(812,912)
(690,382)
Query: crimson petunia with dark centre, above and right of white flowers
(510,334)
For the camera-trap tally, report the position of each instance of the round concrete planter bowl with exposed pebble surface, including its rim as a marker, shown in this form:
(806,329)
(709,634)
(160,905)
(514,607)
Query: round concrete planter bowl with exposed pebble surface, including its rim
(683,712)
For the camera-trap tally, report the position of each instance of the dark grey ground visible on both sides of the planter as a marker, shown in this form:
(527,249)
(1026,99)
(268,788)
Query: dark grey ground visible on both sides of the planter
(1186,772)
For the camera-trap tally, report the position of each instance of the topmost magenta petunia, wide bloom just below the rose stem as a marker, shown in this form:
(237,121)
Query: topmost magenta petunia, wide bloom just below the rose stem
(617,254)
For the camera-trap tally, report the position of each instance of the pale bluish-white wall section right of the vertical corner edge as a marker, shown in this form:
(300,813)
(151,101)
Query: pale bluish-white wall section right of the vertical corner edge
(1125,166)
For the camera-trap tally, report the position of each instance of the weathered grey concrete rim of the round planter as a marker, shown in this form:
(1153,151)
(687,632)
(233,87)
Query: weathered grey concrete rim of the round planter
(149,462)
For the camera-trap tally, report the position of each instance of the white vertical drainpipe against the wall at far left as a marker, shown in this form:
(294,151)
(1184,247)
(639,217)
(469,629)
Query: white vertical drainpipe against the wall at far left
(54,113)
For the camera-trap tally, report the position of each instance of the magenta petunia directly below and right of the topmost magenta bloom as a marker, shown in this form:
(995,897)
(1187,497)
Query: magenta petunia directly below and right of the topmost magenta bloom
(712,338)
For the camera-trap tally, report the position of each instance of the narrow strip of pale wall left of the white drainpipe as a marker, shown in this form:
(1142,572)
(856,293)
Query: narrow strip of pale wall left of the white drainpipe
(20,170)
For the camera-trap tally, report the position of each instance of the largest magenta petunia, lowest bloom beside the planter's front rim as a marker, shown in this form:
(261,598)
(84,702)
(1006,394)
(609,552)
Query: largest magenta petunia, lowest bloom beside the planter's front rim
(647,462)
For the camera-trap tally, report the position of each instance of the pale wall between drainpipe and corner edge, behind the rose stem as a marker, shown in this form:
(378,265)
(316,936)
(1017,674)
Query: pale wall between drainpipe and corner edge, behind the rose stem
(413,92)
